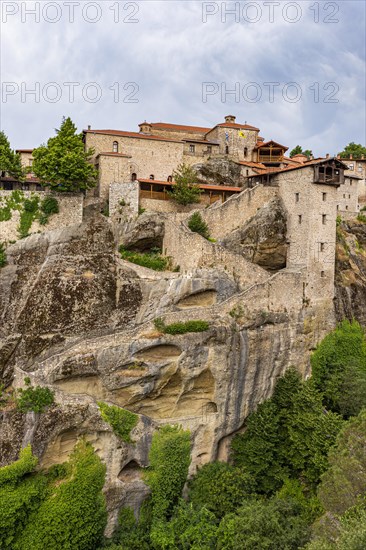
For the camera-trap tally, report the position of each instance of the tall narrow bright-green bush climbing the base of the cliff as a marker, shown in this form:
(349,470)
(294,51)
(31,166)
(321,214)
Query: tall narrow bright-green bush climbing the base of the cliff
(169,461)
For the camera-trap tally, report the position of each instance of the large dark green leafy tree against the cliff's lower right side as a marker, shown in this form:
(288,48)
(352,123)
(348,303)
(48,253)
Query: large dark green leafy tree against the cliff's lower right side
(289,435)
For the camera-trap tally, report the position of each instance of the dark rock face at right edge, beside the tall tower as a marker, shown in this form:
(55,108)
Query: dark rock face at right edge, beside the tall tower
(350,279)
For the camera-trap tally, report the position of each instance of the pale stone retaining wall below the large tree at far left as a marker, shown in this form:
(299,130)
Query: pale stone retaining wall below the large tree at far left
(70,213)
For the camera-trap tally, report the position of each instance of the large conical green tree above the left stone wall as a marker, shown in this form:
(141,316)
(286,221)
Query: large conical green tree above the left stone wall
(63,164)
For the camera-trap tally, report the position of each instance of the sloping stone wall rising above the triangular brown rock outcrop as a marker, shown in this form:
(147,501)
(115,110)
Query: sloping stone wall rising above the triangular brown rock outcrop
(224,218)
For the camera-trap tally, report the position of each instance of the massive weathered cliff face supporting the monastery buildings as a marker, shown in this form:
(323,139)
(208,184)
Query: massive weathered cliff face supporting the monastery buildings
(78,319)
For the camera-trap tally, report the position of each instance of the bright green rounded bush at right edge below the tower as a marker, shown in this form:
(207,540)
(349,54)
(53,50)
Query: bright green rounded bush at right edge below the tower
(339,368)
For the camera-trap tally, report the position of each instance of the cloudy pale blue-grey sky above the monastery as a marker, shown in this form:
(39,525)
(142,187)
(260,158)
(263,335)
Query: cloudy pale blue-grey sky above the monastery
(296,70)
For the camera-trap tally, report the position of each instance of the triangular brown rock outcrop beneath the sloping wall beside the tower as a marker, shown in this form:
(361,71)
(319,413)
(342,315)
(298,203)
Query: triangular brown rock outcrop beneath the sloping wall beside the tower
(262,240)
